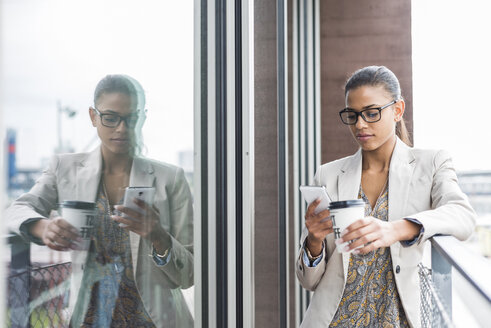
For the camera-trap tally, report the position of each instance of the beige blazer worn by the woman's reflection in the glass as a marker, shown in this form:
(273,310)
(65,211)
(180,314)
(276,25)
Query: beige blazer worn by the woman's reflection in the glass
(77,177)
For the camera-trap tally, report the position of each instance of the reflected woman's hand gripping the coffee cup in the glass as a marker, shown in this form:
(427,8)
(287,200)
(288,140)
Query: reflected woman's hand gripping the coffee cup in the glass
(56,233)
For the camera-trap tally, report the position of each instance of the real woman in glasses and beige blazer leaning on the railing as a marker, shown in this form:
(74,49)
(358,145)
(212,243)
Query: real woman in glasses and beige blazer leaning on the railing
(410,195)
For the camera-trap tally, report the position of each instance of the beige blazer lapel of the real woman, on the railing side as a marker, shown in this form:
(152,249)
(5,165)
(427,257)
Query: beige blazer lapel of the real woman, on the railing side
(400,175)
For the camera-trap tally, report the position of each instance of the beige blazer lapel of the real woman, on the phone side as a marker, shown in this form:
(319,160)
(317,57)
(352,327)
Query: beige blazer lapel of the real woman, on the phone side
(348,188)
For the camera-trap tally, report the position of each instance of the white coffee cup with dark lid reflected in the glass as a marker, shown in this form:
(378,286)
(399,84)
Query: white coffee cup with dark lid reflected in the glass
(81,215)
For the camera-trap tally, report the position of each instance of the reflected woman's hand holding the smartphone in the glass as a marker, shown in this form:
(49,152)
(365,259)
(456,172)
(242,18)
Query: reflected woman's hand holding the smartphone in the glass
(146,224)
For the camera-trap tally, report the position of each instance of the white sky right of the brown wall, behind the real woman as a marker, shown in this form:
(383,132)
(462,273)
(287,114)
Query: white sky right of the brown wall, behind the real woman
(452,79)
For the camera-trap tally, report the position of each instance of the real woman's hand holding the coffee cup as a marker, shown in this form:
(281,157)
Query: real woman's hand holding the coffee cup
(372,233)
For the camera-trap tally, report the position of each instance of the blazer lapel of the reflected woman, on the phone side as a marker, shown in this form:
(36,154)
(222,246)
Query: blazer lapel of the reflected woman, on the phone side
(142,175)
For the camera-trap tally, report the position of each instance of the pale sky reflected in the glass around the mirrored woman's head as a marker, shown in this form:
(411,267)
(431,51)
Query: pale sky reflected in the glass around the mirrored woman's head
(57,50)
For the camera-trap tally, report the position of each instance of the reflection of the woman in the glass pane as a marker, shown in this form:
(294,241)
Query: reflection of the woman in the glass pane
(130,276)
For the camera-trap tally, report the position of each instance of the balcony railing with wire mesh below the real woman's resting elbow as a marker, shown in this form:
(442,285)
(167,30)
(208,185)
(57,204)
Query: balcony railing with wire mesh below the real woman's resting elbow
(455,267)
